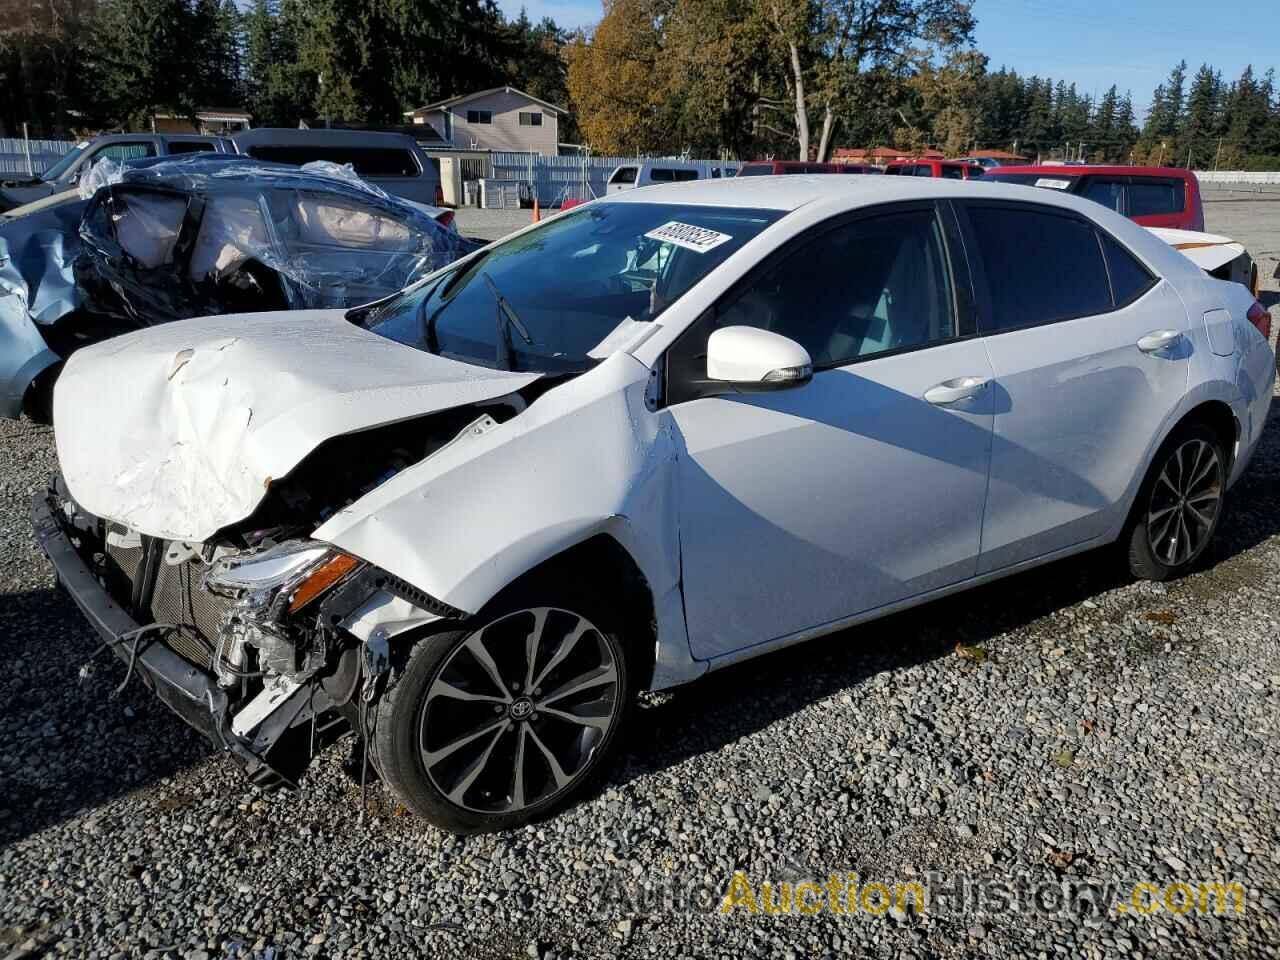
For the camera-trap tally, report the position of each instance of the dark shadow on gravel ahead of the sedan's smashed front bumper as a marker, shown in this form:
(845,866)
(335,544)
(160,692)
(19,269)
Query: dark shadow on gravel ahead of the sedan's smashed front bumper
(66,747)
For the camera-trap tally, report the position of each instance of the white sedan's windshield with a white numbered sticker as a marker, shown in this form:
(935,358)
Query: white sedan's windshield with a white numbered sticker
(569,284)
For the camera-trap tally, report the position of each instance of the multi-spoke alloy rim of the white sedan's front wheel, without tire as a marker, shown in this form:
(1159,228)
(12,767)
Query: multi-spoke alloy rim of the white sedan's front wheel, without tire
(519,710)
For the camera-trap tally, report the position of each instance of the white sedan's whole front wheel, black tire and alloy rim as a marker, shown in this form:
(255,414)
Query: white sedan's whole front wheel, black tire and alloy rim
(497,725)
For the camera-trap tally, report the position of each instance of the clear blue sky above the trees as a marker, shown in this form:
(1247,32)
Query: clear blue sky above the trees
(1091,43)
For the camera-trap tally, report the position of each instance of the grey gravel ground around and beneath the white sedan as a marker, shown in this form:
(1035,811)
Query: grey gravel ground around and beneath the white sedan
(1059,728)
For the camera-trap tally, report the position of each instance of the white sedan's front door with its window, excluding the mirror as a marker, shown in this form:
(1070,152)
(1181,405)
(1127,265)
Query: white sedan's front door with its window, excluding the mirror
(865,487)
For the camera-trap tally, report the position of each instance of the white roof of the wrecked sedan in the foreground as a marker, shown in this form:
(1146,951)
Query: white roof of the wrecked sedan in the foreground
(789,193)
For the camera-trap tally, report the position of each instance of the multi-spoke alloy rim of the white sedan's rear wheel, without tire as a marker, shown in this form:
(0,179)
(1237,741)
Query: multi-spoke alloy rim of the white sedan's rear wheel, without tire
(1185,504)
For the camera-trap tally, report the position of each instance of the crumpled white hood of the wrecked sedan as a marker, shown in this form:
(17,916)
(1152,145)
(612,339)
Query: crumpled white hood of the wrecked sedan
(180,429)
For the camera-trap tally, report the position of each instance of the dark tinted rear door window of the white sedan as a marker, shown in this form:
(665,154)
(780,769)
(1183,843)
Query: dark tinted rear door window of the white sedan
(1041,267)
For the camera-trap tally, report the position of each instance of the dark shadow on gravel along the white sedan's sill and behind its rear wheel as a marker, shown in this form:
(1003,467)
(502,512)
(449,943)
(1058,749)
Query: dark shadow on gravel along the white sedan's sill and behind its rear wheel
(748,698)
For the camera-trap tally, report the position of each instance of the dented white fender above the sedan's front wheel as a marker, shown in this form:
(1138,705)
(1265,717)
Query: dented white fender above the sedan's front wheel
(476,516)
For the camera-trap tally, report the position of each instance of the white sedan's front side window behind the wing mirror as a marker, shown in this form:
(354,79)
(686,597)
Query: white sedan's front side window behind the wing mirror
(862,290)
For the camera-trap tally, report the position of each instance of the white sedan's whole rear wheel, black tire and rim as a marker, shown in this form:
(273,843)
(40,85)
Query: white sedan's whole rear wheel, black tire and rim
(1154,551)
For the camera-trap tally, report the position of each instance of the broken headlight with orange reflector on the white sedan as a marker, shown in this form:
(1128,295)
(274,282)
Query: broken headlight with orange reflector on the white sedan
(301,572)
